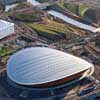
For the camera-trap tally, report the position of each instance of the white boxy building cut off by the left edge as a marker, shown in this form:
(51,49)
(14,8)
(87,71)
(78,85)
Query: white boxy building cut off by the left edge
(6,29)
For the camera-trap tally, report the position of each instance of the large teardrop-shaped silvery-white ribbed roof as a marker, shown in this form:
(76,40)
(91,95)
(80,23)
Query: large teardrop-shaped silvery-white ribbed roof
(40,65)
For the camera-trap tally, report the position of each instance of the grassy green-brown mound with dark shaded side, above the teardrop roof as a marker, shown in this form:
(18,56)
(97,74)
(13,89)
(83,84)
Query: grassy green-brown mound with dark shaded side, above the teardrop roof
(53,30)
